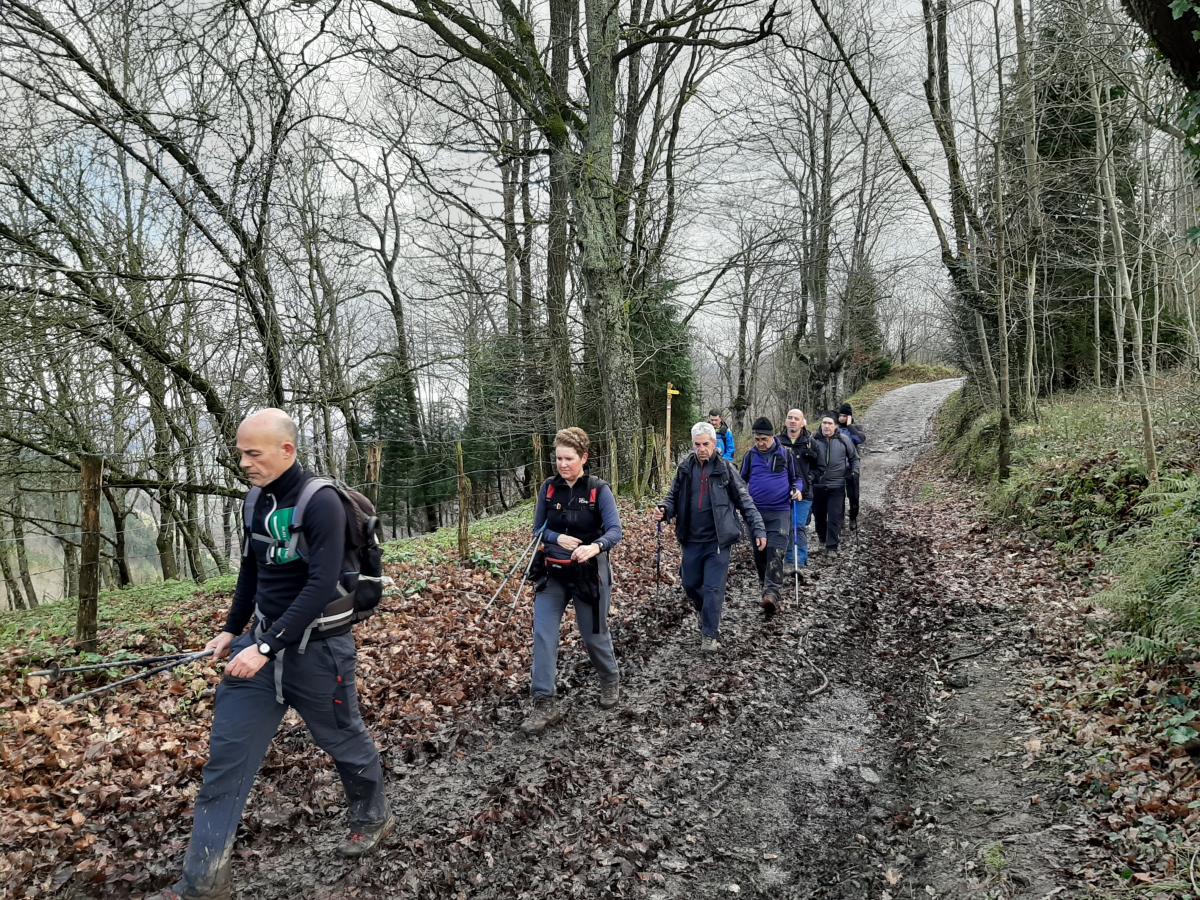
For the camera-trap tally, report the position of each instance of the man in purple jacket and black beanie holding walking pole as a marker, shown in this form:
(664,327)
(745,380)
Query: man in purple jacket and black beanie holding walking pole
(770,473)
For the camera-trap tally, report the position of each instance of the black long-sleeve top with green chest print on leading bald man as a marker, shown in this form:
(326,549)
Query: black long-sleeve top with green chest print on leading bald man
(291,593)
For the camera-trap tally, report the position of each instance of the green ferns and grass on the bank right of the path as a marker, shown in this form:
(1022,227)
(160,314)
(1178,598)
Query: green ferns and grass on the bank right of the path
(1079,479)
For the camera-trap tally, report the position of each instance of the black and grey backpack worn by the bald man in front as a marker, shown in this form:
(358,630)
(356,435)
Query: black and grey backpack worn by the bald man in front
(361,589)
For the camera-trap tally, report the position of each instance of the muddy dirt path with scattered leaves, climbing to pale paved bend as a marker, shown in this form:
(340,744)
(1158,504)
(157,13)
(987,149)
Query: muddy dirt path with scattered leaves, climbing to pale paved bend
(784,767)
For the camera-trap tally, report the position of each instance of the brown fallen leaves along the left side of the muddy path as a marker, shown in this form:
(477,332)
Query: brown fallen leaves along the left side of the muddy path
(100,794)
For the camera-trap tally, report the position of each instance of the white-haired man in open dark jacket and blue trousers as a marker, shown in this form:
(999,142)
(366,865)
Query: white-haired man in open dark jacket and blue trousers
(705,501)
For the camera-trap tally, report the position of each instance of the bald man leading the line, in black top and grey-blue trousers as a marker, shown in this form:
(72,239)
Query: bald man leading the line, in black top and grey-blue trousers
(298,655)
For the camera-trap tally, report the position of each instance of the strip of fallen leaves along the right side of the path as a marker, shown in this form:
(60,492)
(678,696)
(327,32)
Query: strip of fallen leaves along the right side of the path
(1124,736)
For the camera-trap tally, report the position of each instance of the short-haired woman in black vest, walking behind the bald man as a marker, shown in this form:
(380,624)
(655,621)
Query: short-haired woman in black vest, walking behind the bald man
(579,524)
